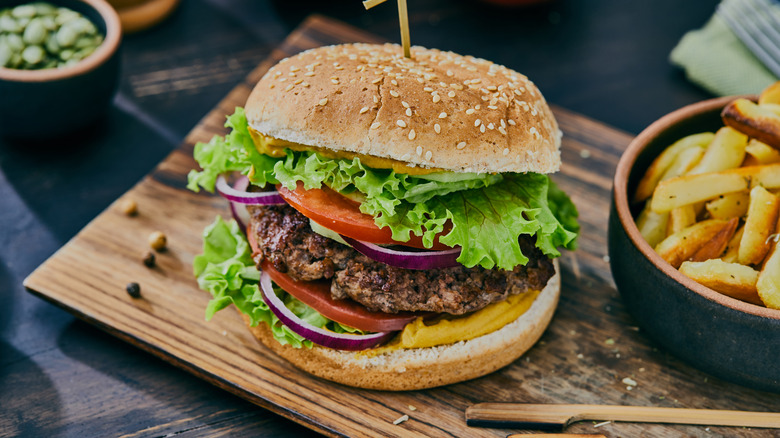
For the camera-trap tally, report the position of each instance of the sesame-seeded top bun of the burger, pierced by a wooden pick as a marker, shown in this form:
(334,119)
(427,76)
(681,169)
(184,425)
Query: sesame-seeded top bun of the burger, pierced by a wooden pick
(439,109)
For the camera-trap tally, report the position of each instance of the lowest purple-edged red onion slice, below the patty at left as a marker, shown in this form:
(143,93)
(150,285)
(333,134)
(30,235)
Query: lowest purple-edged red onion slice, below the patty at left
(315,334)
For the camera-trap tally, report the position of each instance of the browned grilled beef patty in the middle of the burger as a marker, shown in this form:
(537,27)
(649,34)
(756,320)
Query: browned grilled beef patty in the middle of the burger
(288,242)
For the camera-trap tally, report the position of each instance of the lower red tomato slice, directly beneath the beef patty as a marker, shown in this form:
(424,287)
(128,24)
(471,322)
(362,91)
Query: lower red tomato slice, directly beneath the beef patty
(316,294)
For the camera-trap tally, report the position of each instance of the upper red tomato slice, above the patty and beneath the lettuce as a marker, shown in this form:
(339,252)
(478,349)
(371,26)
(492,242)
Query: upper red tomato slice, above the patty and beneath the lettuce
(342,215)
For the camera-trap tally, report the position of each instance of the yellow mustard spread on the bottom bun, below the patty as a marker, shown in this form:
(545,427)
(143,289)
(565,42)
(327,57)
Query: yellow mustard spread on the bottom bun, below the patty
(420,334)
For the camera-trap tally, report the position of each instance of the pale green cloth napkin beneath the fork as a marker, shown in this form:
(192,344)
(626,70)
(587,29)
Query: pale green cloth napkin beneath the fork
(715,59)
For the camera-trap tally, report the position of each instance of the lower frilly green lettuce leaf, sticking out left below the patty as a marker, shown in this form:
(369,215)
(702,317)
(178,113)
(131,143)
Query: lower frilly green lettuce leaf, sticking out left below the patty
(227,271)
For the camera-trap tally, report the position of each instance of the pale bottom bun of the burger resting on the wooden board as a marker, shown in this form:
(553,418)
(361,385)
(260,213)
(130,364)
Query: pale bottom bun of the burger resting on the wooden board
(420,368)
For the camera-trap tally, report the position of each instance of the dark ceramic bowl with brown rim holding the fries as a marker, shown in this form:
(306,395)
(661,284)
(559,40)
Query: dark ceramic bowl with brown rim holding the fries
(725,337)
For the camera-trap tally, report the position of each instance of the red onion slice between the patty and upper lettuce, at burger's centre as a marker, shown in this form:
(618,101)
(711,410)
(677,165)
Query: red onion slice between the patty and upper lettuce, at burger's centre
(406,259)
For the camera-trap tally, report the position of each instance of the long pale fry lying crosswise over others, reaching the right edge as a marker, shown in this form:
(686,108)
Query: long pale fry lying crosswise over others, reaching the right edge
(688,189)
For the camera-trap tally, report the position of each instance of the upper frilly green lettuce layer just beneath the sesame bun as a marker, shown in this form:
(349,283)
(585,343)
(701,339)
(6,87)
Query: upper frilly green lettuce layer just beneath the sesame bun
(487,212)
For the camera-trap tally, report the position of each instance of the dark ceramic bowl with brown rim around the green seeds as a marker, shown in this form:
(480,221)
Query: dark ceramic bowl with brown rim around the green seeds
(44,104)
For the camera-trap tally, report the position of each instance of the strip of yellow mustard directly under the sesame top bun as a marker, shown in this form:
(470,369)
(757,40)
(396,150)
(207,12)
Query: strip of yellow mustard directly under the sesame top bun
(275,147)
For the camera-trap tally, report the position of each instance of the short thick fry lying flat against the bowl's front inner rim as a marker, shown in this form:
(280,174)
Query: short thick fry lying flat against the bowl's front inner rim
(732,279)
